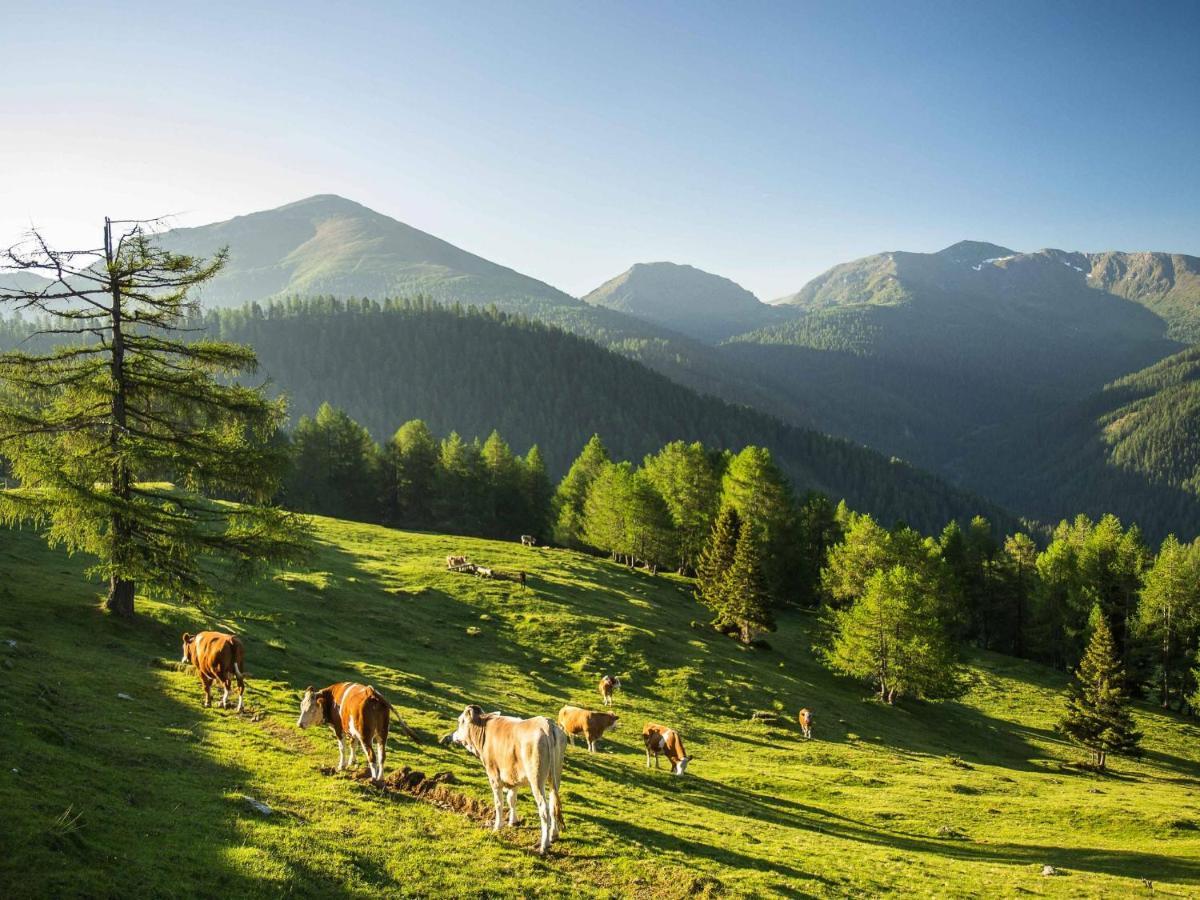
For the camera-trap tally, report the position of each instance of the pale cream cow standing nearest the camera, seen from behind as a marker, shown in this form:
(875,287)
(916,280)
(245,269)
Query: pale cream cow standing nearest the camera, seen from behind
(519,752)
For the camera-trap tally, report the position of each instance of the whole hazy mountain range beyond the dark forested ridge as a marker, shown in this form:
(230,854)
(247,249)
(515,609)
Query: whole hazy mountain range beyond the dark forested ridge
(1042,381)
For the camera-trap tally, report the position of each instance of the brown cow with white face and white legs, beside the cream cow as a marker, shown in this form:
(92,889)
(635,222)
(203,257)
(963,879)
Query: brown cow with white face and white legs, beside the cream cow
(355,712)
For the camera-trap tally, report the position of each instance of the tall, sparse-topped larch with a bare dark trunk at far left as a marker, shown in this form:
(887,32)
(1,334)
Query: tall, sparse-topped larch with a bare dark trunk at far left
(133,398)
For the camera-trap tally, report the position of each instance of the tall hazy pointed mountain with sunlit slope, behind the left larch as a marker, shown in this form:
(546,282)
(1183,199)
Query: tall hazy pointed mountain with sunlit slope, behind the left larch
(329,245)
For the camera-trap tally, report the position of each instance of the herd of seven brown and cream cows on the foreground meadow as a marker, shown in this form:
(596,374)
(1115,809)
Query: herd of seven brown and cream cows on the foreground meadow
(514,752)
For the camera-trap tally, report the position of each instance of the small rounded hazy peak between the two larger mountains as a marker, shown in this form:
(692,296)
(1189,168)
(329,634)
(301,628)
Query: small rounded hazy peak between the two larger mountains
(686,299)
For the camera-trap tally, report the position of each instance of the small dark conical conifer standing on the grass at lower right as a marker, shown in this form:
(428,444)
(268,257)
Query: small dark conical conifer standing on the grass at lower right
(1099,716)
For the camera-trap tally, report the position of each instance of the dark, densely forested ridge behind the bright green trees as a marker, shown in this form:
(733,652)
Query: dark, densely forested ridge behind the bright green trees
(473,371)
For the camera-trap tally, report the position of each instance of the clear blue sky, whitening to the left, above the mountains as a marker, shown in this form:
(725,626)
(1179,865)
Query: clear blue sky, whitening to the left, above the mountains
(764,142)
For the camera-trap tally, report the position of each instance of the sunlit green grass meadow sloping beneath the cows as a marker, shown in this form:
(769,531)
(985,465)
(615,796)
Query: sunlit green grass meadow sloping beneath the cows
(145,797)
